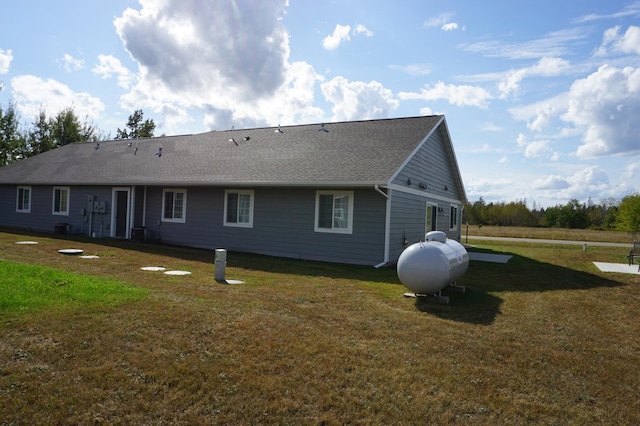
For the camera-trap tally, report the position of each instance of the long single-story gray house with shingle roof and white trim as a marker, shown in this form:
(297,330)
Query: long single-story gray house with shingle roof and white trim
(352,192)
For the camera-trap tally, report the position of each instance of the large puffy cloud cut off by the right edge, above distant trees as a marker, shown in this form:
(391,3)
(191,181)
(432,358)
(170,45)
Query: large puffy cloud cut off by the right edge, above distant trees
(604,107)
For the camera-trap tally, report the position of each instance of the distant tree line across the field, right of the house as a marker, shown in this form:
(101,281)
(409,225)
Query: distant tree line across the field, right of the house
(610,214)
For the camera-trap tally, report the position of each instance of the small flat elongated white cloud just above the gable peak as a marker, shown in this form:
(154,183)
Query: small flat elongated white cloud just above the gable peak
(462,95)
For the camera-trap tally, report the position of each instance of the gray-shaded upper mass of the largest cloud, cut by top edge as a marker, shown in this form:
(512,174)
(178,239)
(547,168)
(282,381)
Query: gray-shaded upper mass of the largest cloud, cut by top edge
(199,49)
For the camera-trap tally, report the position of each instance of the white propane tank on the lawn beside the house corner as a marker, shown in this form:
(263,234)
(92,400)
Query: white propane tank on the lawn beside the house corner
(428,267)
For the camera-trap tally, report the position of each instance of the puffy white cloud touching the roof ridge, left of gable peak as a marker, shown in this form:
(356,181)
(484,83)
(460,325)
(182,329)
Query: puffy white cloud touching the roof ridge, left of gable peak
(358,100)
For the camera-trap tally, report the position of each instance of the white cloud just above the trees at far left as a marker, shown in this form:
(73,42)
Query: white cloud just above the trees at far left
(32,93)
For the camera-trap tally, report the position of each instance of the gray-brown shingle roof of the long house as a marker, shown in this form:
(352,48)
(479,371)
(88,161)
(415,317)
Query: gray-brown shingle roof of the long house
(356,152)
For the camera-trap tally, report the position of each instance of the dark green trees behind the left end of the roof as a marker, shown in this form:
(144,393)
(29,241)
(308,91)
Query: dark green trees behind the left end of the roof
(19,140)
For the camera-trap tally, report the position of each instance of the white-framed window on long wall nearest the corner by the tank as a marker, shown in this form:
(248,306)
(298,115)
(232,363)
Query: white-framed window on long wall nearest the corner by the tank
(334,211)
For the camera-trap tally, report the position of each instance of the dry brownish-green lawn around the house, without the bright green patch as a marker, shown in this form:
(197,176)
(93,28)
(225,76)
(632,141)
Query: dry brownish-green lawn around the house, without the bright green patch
(544,339)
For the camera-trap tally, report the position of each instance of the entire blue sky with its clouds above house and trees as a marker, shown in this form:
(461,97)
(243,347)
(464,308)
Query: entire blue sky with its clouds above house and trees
(542,98)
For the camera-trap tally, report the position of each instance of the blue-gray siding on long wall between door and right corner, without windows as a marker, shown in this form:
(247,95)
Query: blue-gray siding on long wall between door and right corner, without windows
(283,225)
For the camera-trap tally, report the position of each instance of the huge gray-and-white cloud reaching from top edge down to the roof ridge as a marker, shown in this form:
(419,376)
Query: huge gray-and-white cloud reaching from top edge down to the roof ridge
(228,59)
